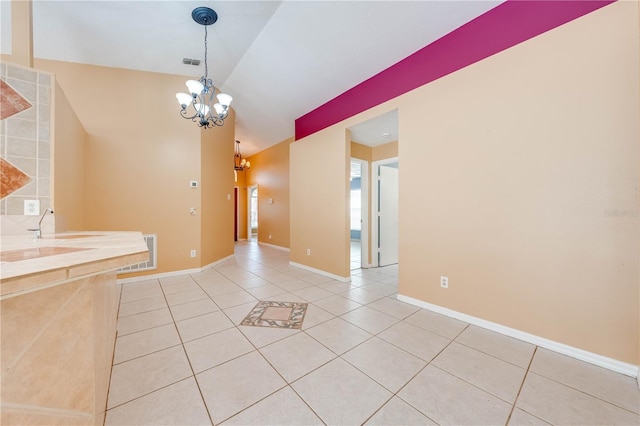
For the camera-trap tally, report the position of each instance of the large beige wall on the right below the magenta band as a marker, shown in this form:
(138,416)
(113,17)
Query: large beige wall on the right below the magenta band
(519,161)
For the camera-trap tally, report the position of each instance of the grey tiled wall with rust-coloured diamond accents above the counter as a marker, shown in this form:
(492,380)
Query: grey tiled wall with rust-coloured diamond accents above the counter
(25,143)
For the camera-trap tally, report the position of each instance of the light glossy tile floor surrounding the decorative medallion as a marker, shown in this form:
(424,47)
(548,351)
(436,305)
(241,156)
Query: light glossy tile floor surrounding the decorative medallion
(361,357)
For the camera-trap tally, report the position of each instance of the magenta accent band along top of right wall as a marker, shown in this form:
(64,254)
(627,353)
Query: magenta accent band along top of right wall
(504,26)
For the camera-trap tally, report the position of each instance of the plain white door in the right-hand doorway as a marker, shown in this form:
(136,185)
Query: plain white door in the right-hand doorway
(388,214)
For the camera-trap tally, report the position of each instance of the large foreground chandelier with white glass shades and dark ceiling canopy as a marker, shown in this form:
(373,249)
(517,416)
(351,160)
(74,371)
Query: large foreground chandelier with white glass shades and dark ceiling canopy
(198,105)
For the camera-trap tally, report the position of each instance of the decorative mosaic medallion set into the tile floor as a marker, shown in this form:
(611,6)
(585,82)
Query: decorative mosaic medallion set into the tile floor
(276,314)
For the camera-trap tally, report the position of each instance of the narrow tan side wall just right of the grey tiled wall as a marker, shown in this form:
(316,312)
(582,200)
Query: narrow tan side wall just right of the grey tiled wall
(69,141)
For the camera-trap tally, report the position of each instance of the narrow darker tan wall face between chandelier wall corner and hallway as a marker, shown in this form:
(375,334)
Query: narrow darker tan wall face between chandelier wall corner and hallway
(217,192)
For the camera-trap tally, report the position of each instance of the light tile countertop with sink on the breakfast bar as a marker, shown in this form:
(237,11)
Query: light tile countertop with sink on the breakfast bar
(28,264)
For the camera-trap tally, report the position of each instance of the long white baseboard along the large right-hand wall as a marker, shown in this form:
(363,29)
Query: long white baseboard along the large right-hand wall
(590,357)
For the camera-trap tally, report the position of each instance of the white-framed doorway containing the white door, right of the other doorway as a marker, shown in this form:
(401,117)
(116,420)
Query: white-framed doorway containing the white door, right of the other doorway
(385,213)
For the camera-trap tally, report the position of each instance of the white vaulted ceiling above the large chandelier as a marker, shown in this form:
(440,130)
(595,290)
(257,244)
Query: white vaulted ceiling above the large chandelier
(278,59)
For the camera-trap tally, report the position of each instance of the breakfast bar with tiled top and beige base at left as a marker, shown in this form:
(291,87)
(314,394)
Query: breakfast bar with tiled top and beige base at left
(59,300)
